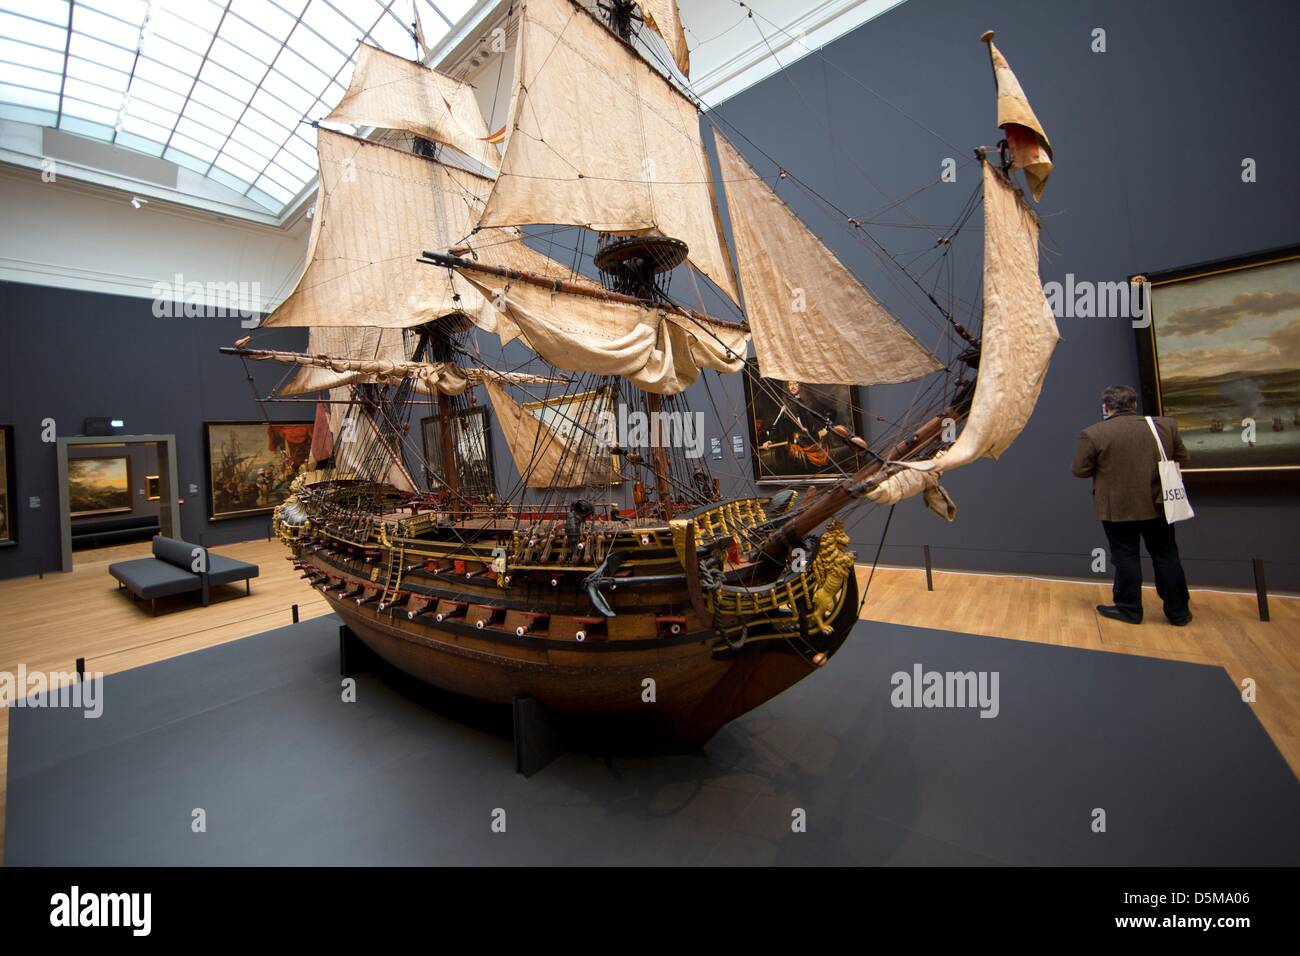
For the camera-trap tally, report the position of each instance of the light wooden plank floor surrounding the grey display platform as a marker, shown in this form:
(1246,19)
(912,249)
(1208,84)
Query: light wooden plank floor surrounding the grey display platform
(114,634)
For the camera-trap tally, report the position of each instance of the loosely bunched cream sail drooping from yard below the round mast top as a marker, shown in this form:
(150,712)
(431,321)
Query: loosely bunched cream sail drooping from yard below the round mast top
(657,351)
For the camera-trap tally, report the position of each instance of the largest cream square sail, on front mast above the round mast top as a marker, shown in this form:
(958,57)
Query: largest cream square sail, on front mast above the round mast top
(601,140)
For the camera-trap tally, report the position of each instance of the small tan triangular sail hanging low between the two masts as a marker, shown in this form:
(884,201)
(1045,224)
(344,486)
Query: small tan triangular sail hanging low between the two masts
(544,457)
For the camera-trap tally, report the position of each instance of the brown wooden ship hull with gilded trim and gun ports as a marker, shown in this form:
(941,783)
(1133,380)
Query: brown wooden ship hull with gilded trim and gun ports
(683,671)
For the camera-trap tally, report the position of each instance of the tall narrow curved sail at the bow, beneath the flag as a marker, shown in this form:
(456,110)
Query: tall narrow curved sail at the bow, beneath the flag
(1020,336)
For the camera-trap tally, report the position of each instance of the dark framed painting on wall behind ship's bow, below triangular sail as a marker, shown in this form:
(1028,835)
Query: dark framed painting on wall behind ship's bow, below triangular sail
(788,423)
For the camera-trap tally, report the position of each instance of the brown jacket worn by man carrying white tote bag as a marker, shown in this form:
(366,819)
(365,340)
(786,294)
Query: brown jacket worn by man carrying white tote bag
(1120,456)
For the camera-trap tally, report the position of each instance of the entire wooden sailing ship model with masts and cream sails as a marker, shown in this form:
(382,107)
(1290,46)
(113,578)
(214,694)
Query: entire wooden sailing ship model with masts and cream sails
(612,578)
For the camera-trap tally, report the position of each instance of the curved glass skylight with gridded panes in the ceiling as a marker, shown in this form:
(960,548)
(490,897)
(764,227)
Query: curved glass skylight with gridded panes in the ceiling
(226,88)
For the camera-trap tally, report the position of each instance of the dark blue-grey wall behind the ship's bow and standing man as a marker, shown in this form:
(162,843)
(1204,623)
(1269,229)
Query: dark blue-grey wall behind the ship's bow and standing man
(1149,139)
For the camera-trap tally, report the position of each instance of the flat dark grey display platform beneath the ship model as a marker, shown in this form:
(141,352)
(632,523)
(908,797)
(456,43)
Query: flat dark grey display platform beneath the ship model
(257,734)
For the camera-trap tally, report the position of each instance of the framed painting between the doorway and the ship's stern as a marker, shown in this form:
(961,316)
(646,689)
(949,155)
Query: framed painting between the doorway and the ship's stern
(252,465)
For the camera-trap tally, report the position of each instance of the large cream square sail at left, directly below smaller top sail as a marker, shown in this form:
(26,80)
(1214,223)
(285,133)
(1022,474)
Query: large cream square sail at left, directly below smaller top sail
(378,210)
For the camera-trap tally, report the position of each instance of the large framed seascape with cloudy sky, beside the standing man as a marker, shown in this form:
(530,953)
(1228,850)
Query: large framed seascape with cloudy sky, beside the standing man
(1221,356)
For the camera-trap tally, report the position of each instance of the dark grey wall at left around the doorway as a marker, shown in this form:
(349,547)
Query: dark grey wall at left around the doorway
(73,356)
